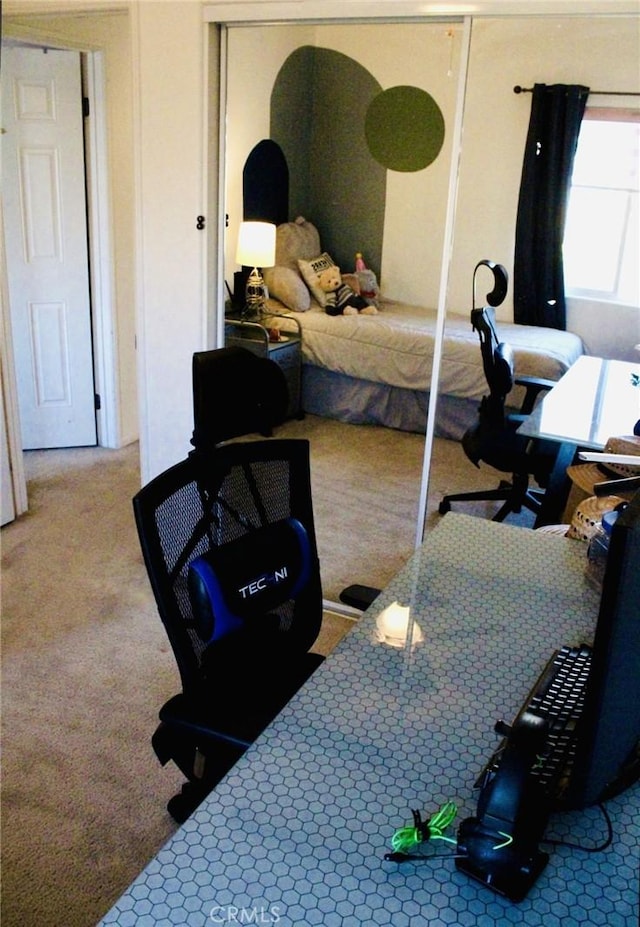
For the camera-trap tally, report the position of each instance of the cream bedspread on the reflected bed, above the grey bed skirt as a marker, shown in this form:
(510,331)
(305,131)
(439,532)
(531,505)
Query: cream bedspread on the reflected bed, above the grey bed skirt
(395,347)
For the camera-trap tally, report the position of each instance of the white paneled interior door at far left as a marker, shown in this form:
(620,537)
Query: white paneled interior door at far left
(46,243)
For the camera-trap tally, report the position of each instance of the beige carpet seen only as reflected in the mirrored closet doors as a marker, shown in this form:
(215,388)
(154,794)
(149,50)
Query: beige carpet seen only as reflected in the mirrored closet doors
(366,486)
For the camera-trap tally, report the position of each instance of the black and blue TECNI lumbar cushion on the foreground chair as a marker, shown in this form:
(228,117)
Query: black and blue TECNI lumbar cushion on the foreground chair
(247,578)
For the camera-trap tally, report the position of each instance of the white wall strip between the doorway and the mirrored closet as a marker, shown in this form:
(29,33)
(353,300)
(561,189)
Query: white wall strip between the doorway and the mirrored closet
(169,114)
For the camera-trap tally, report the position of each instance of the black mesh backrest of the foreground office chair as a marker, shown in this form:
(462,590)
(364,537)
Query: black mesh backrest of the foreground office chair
(211,501)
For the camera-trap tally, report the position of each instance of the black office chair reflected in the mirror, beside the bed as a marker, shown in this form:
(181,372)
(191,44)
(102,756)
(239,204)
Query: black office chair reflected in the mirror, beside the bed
(493,438)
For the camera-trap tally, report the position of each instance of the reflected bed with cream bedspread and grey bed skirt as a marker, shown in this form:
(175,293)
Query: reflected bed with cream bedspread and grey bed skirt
(377,369)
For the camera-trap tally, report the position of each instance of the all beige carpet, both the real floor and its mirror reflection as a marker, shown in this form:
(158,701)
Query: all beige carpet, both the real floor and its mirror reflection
(86,664)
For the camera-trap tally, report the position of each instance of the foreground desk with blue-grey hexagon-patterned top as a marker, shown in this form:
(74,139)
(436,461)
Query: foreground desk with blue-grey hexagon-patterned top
(296,832)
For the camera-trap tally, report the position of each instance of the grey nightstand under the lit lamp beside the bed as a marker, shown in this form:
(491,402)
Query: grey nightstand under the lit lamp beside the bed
(253,334)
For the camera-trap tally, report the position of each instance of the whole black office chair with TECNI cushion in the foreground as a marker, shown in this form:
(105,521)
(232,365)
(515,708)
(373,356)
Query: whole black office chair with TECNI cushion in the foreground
(228,540)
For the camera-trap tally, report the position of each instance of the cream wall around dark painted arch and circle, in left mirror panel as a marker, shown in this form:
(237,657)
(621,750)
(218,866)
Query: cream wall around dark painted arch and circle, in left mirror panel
(422,55)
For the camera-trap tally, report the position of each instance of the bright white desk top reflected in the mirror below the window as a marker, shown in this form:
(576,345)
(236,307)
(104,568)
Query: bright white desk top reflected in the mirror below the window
(594,400)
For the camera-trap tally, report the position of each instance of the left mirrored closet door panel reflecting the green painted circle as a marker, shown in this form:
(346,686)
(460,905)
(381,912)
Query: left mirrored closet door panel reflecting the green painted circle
(364,116)
